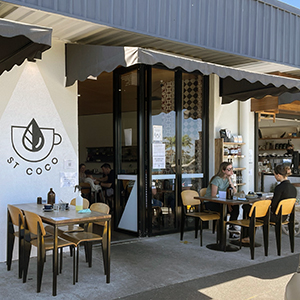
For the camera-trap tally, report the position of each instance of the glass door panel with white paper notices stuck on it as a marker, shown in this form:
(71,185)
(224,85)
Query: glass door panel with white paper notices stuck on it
(163,148)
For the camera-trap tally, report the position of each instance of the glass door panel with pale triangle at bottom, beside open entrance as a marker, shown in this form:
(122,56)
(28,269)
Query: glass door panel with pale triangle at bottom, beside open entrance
(126,149)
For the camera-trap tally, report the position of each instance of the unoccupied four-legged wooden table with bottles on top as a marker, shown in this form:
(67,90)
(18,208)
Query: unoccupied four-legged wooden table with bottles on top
(69,217)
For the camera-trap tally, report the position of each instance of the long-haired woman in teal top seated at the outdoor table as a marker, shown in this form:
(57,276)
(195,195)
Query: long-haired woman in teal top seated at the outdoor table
(220,182)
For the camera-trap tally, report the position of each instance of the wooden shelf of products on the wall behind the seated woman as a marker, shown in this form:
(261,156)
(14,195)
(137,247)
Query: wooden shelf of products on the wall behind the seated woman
(229,151)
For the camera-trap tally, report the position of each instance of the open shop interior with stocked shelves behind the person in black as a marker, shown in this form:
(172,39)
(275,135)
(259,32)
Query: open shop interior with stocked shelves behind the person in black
(278,140)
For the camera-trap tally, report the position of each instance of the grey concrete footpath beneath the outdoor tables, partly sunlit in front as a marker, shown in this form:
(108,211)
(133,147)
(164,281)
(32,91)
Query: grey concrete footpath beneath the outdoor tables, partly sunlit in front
(163,267)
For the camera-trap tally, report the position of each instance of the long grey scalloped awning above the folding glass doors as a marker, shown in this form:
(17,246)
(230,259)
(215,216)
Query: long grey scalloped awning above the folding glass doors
(237,84)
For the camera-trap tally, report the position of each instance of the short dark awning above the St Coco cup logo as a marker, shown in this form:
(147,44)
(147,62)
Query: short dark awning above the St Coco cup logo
(19,41)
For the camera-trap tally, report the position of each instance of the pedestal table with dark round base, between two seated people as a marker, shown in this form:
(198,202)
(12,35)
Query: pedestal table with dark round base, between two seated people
(221,245)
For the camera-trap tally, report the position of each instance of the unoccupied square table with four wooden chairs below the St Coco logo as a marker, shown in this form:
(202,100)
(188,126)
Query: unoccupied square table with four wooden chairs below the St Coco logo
(56,227)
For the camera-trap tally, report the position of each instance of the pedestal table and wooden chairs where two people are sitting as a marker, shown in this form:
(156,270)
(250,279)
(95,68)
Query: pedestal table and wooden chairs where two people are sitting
(258,217)
